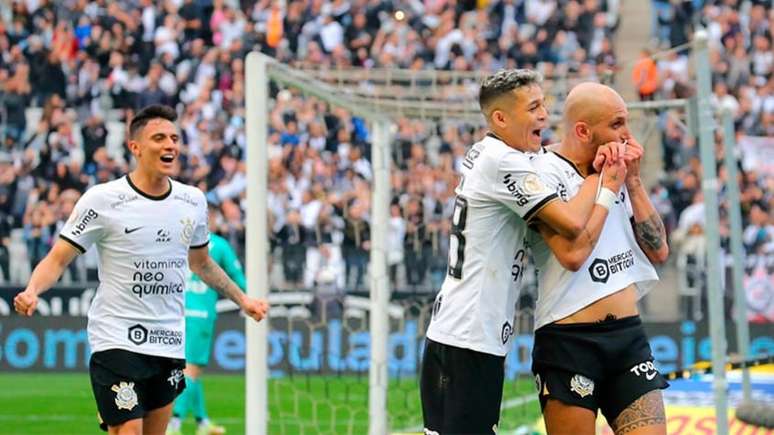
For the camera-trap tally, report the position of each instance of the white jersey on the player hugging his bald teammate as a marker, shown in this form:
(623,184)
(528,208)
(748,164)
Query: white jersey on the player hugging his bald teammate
(498,194)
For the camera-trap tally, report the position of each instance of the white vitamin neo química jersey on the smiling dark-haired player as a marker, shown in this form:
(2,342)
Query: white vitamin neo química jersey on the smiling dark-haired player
(142,242)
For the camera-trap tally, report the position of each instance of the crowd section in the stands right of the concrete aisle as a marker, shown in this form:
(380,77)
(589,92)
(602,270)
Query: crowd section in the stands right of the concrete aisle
(741,58)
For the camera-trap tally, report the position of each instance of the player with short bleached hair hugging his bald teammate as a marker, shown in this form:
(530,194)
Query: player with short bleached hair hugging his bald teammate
(499,193)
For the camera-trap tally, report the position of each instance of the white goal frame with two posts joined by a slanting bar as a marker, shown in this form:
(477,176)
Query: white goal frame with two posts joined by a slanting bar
(259,70)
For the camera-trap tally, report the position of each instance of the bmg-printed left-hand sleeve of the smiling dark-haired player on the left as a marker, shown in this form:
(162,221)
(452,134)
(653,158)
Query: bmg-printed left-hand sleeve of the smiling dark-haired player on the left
(86,223)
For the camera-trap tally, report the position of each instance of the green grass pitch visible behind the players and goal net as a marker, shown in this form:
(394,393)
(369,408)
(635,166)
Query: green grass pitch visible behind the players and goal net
(63,404)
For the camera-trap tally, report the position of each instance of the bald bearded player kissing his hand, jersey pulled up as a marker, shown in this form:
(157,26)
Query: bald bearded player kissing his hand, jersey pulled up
(590,351)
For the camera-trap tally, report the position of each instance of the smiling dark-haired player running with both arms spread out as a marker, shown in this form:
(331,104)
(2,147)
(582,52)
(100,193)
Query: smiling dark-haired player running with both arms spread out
(148,230)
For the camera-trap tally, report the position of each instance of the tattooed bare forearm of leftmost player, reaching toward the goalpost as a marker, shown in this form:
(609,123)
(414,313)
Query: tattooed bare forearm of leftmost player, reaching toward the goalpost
(215,277)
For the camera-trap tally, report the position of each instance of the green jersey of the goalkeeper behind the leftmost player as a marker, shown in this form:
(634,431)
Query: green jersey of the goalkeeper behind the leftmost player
(199,298)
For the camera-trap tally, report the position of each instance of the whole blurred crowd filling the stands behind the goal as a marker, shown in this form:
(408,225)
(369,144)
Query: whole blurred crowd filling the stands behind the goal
(72,72)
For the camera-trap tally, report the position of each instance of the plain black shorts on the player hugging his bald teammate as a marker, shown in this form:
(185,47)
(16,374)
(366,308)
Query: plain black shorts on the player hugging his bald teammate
(461,390)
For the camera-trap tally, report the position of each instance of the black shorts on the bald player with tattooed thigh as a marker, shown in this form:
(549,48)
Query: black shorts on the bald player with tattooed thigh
(605,366)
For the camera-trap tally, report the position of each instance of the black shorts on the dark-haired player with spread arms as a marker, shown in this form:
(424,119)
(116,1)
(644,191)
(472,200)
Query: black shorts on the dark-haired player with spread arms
(127,385)
